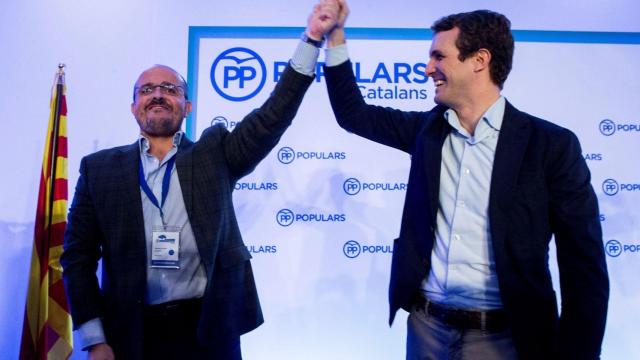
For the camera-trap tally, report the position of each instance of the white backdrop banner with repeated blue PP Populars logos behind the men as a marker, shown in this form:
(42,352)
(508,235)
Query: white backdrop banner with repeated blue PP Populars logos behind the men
(320,212)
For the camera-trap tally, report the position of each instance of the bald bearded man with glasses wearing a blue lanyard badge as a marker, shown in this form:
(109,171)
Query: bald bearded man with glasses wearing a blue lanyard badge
(176,277)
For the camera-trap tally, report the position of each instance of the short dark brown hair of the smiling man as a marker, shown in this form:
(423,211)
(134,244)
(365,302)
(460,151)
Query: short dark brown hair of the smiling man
(482,29)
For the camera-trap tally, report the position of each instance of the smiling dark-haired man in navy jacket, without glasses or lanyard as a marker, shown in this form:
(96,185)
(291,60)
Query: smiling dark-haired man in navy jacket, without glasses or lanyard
(488,187)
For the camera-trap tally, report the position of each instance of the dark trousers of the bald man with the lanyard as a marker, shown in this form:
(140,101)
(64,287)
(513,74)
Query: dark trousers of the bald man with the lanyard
(170,333)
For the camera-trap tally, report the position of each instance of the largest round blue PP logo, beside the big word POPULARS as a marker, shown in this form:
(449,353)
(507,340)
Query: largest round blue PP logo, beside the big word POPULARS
(238,74)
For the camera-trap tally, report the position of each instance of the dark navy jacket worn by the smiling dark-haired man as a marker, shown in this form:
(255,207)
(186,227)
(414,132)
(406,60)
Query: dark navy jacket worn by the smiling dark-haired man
(540,186)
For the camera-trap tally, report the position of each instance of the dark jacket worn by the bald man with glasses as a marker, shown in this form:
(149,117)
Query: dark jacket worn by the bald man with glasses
(106,221)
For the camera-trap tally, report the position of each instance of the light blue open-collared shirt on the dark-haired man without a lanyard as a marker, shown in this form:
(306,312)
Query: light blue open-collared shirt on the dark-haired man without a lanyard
(463,270)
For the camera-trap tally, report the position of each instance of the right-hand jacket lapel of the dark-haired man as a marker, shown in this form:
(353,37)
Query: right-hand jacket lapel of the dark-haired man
(512,144)
